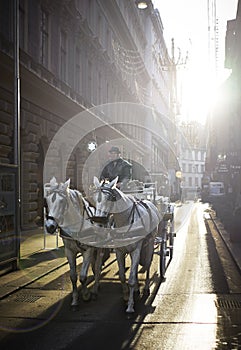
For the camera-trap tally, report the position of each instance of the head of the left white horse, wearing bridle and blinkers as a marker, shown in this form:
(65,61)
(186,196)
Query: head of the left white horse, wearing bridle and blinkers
(57,201)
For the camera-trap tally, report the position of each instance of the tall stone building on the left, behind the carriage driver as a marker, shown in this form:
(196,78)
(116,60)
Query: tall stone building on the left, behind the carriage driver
(99,60)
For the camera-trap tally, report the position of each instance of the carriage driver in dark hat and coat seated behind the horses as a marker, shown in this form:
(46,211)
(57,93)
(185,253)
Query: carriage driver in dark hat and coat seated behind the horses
(117,166)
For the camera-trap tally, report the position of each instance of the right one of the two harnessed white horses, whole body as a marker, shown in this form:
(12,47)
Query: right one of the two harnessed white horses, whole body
(129,216)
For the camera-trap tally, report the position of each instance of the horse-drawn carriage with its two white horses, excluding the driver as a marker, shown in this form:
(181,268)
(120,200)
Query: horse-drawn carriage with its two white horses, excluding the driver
(134,222)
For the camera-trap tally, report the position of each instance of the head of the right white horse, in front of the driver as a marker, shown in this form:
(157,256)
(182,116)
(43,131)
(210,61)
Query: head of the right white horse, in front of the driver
(105,195)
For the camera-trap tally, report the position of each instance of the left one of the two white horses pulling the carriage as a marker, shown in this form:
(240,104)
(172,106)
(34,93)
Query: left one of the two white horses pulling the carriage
(69,210)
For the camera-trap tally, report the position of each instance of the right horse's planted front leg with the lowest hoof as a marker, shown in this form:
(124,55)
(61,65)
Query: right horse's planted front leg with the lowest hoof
(133,279)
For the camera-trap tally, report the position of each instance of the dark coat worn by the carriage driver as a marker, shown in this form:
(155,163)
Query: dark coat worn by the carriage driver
(118,167)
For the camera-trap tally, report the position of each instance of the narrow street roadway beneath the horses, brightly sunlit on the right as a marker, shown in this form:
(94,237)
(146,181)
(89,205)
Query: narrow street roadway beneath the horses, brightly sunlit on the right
(197,306)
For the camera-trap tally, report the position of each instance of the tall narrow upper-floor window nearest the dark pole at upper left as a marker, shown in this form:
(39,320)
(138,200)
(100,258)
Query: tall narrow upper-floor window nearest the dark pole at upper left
(44,38)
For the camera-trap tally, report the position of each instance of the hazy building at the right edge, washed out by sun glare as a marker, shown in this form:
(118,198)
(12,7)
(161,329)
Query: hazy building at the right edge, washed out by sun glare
(224,149)
